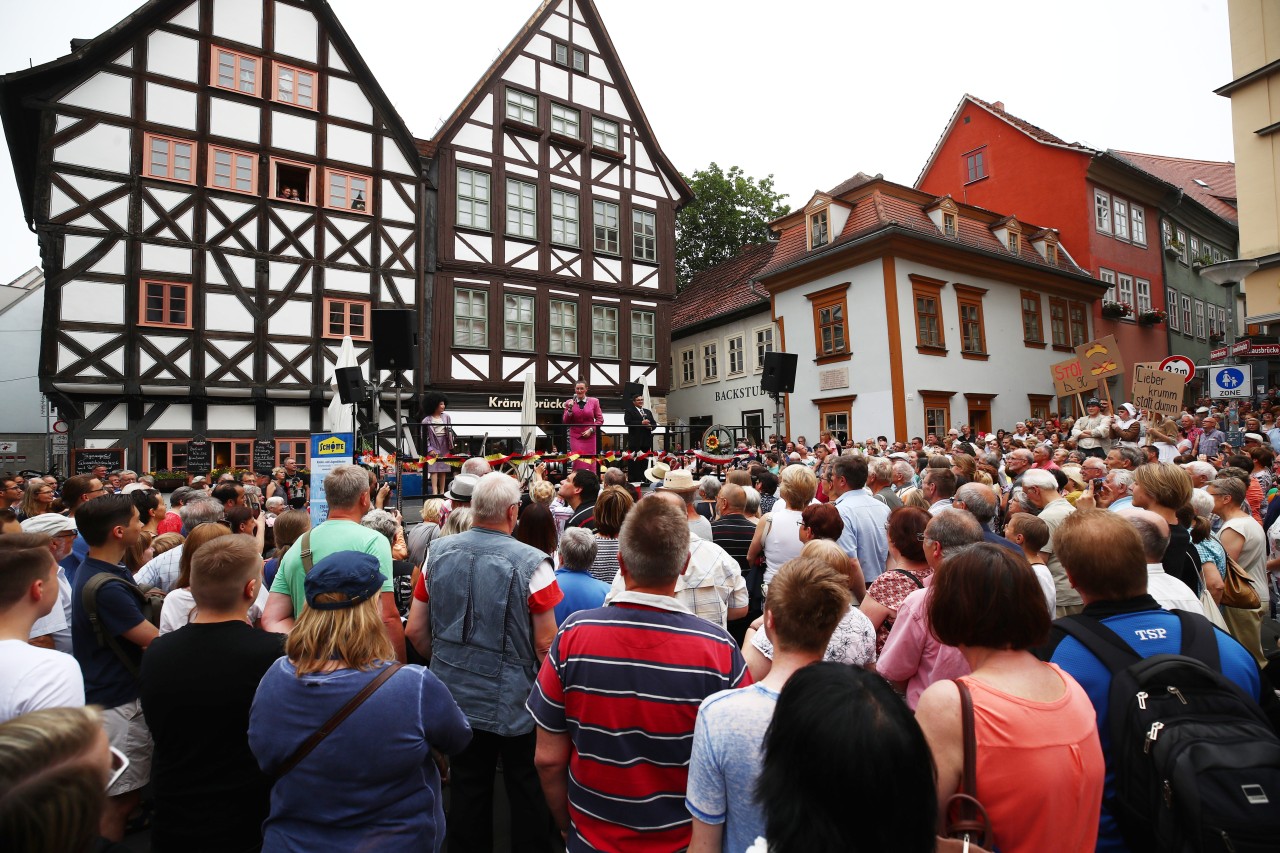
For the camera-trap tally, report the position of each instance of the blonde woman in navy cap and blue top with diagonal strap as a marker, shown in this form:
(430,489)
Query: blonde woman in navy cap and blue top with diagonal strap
(328,793)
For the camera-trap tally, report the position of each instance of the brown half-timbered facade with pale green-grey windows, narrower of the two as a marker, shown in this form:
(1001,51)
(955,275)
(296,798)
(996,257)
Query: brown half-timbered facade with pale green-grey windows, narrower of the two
(556,239)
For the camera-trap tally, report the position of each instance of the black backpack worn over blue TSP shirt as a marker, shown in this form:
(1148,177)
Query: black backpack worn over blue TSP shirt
(1196,763)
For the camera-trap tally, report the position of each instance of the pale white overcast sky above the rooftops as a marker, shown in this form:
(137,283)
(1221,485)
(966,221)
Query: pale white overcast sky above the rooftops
(811,92)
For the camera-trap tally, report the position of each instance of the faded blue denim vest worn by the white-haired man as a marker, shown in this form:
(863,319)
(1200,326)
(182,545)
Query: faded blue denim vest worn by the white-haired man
(482,637)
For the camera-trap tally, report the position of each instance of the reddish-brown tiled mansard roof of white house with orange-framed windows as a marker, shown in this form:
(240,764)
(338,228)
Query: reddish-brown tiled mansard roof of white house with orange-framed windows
(883,207)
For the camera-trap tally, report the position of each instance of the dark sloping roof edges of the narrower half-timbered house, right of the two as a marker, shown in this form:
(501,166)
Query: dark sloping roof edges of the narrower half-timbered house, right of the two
(592,16)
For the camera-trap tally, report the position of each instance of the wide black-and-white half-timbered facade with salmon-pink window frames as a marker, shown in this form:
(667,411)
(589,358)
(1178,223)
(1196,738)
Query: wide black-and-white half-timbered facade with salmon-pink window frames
(222,193)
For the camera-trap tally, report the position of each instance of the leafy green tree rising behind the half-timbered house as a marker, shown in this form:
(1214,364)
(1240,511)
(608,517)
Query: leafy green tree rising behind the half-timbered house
(730,211)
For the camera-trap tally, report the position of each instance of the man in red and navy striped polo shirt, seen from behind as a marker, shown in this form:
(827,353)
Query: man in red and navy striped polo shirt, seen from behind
(625,650)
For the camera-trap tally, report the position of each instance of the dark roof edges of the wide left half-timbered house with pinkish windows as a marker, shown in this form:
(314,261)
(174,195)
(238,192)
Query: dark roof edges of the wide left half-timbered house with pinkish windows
(22,121)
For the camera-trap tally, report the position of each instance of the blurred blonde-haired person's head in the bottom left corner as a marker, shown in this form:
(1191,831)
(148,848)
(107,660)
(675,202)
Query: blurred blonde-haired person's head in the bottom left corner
(56,767)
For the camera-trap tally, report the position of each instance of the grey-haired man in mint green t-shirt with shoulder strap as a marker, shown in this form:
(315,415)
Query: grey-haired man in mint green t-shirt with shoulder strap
(346,490)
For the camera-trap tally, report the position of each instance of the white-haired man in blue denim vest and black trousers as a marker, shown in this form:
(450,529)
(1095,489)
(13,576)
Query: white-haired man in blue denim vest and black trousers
(490,623)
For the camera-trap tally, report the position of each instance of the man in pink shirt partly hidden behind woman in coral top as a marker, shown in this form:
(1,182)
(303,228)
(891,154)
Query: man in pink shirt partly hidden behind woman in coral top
(913,655)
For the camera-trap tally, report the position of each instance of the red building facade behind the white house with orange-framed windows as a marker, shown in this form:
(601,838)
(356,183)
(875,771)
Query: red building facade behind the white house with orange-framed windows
(1104,209)
